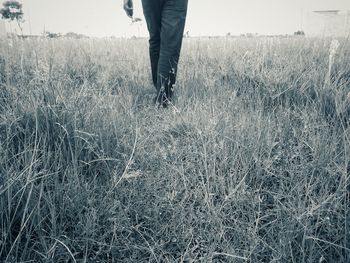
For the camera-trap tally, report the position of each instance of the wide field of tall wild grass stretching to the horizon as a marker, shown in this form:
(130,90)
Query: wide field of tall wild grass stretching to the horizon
(250,165)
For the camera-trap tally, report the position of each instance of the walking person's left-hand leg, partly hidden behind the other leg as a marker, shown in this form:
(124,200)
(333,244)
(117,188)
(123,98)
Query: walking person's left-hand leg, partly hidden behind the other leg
(152,13)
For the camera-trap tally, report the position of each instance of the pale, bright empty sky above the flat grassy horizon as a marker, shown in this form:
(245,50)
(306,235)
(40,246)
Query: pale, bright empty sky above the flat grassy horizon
(102,18)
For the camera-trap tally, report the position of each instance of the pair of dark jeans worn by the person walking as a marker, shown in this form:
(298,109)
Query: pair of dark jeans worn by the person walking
(165,22)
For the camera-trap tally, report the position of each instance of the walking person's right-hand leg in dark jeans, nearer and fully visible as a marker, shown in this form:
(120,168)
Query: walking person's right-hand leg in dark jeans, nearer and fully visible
(172,27)
